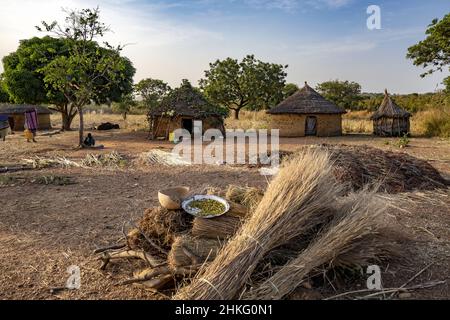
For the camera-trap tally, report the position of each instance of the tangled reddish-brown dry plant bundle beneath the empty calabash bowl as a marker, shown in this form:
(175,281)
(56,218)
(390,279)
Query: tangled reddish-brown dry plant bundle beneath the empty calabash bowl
(161,225)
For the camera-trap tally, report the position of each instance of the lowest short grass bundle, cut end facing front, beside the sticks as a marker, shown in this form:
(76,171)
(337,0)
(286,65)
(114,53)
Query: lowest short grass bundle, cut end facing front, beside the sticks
(187,251)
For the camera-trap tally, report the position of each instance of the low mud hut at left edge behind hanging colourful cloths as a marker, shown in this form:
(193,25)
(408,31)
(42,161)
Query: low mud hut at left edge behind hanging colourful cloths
(16,115)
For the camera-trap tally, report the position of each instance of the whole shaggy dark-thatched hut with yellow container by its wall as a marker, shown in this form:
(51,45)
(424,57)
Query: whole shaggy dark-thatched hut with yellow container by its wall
(185,108)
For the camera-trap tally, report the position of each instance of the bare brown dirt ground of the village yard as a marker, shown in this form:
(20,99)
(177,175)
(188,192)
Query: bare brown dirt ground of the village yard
(44,229)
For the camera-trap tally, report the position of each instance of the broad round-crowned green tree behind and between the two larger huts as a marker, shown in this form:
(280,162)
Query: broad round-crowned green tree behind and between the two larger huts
(250,84)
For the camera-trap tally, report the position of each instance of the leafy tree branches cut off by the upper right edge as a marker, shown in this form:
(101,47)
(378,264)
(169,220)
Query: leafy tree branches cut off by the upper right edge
(433,52)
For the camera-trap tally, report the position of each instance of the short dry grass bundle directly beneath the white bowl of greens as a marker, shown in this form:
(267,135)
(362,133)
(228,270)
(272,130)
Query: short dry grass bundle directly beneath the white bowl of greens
(222,227)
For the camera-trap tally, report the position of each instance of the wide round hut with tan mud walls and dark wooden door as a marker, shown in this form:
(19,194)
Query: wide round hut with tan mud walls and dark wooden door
(307,113)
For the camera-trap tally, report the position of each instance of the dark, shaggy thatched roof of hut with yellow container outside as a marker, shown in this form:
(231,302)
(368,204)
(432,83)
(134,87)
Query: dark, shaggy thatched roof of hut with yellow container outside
(187,101)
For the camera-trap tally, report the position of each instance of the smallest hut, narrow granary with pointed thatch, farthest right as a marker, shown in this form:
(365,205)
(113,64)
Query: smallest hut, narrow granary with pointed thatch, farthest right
(390,120)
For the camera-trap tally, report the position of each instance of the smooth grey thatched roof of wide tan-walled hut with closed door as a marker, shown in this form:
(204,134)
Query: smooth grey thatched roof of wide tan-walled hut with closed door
(306,101)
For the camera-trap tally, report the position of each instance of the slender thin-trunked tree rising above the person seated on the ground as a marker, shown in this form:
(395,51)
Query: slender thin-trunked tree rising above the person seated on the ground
(89,72)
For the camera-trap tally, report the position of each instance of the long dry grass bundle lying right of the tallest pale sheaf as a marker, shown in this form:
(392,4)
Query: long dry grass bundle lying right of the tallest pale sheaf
(343,242)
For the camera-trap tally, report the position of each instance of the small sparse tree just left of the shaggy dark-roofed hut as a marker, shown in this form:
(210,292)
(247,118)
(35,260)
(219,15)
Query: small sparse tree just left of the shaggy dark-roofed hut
(152,92)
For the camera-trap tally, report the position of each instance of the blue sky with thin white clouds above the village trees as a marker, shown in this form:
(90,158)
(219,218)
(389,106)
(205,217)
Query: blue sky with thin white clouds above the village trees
(319,39)
